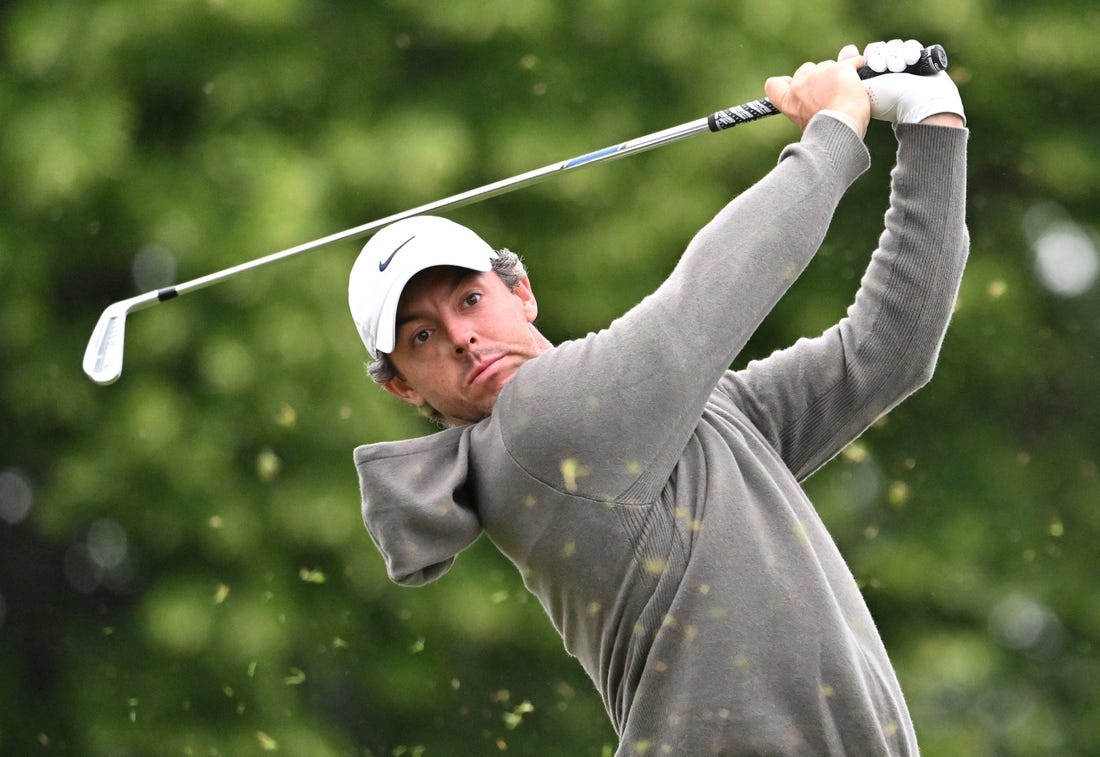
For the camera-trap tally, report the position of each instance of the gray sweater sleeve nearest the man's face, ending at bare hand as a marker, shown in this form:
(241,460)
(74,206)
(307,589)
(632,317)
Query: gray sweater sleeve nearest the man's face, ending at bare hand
(608,416)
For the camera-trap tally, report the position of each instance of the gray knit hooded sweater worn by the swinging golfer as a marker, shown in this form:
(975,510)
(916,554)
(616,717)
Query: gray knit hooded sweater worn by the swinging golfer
(651,497)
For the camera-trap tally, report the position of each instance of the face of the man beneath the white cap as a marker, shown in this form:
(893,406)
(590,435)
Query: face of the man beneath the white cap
(461,336)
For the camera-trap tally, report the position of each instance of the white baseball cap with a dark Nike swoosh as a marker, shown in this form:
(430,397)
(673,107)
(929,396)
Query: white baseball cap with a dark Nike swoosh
(392,258)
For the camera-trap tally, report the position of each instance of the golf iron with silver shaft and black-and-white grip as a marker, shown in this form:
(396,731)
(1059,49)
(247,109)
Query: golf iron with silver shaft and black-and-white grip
(103,359)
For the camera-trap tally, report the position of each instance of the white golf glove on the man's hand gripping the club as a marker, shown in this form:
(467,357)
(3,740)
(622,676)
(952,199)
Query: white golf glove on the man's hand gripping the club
(905,98)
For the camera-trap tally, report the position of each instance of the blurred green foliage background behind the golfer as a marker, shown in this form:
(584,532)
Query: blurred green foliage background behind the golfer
(183,566)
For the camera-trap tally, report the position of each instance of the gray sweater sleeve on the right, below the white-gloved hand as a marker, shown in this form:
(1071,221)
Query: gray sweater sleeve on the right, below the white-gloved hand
(815,398)
